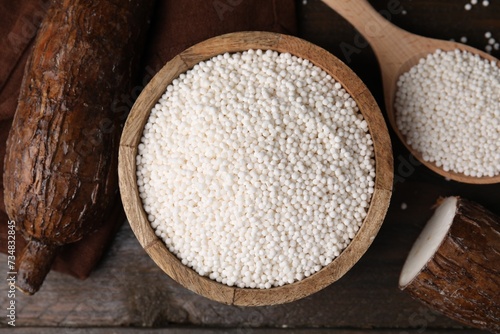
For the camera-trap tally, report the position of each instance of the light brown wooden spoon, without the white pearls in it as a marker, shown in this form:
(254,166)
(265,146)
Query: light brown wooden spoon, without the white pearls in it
(397,51)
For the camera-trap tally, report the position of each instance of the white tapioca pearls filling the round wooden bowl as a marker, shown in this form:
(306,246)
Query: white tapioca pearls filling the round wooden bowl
(256,168)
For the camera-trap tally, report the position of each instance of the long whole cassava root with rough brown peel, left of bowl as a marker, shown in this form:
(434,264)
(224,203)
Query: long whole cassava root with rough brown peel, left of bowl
(60,174)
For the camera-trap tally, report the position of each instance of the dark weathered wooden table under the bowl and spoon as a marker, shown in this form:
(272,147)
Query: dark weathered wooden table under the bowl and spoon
(128,293)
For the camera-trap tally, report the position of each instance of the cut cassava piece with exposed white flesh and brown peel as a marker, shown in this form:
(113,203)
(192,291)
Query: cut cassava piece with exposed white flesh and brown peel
(454,266)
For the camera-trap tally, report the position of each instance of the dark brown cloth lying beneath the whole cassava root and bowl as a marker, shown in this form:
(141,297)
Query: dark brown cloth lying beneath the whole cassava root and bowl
(176,25)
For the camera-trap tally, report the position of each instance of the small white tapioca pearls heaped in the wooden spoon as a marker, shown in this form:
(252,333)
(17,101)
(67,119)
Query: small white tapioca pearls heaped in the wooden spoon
(448,108)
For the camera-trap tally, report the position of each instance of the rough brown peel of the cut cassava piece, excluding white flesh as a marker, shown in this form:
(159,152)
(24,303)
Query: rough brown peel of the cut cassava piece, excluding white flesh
(462,279)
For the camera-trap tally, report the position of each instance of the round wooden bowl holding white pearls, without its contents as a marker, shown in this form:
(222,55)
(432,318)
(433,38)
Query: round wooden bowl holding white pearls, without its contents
(156,248)
